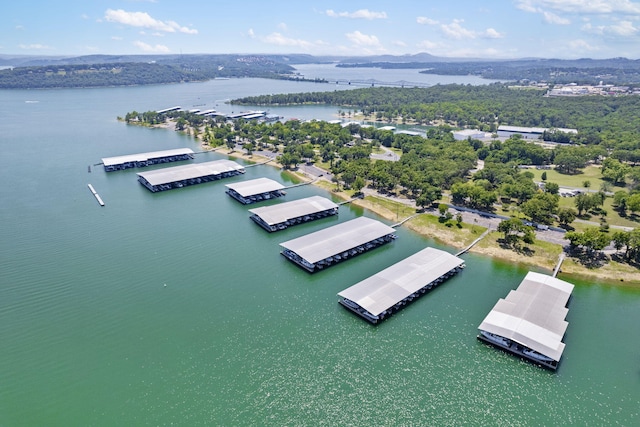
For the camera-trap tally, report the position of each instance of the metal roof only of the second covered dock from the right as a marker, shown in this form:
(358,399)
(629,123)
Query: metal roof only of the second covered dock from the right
(393,284)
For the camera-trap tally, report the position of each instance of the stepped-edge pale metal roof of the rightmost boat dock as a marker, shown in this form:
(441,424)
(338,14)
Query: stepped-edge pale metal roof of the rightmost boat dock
(533,315)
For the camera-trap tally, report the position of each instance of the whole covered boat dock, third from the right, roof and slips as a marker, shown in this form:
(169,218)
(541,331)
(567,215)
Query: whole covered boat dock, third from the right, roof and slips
(335,244)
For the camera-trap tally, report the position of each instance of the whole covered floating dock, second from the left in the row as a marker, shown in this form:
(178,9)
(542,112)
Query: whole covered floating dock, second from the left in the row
(182,176)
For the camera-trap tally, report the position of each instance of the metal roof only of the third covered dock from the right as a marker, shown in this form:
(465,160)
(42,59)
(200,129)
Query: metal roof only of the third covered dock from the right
(333,240)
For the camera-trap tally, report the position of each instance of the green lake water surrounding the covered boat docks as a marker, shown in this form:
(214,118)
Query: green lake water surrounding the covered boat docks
(176,309)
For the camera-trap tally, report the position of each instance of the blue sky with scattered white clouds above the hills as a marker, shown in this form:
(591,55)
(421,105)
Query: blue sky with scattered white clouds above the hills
(454,28)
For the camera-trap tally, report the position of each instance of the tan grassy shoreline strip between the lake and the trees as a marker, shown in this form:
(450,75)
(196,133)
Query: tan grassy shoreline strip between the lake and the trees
(545,261)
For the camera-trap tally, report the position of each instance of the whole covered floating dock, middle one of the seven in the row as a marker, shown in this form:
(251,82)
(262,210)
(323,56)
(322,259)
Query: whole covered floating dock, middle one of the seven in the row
(283,215)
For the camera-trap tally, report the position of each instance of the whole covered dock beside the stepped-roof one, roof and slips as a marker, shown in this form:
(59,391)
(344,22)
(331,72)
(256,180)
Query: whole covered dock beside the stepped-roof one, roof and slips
(379,296)
